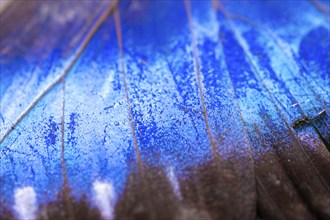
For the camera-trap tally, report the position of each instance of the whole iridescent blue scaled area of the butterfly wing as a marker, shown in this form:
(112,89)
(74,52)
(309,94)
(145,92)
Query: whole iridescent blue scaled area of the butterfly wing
(260,72)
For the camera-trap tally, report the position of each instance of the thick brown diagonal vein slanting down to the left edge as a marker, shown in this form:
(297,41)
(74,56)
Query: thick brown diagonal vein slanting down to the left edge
(80,49)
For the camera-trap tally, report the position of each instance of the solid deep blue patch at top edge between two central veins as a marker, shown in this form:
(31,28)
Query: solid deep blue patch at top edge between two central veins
(168,19)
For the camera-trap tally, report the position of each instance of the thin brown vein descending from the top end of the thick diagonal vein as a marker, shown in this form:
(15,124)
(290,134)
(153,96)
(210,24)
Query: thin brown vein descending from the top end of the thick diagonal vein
(129,111)
